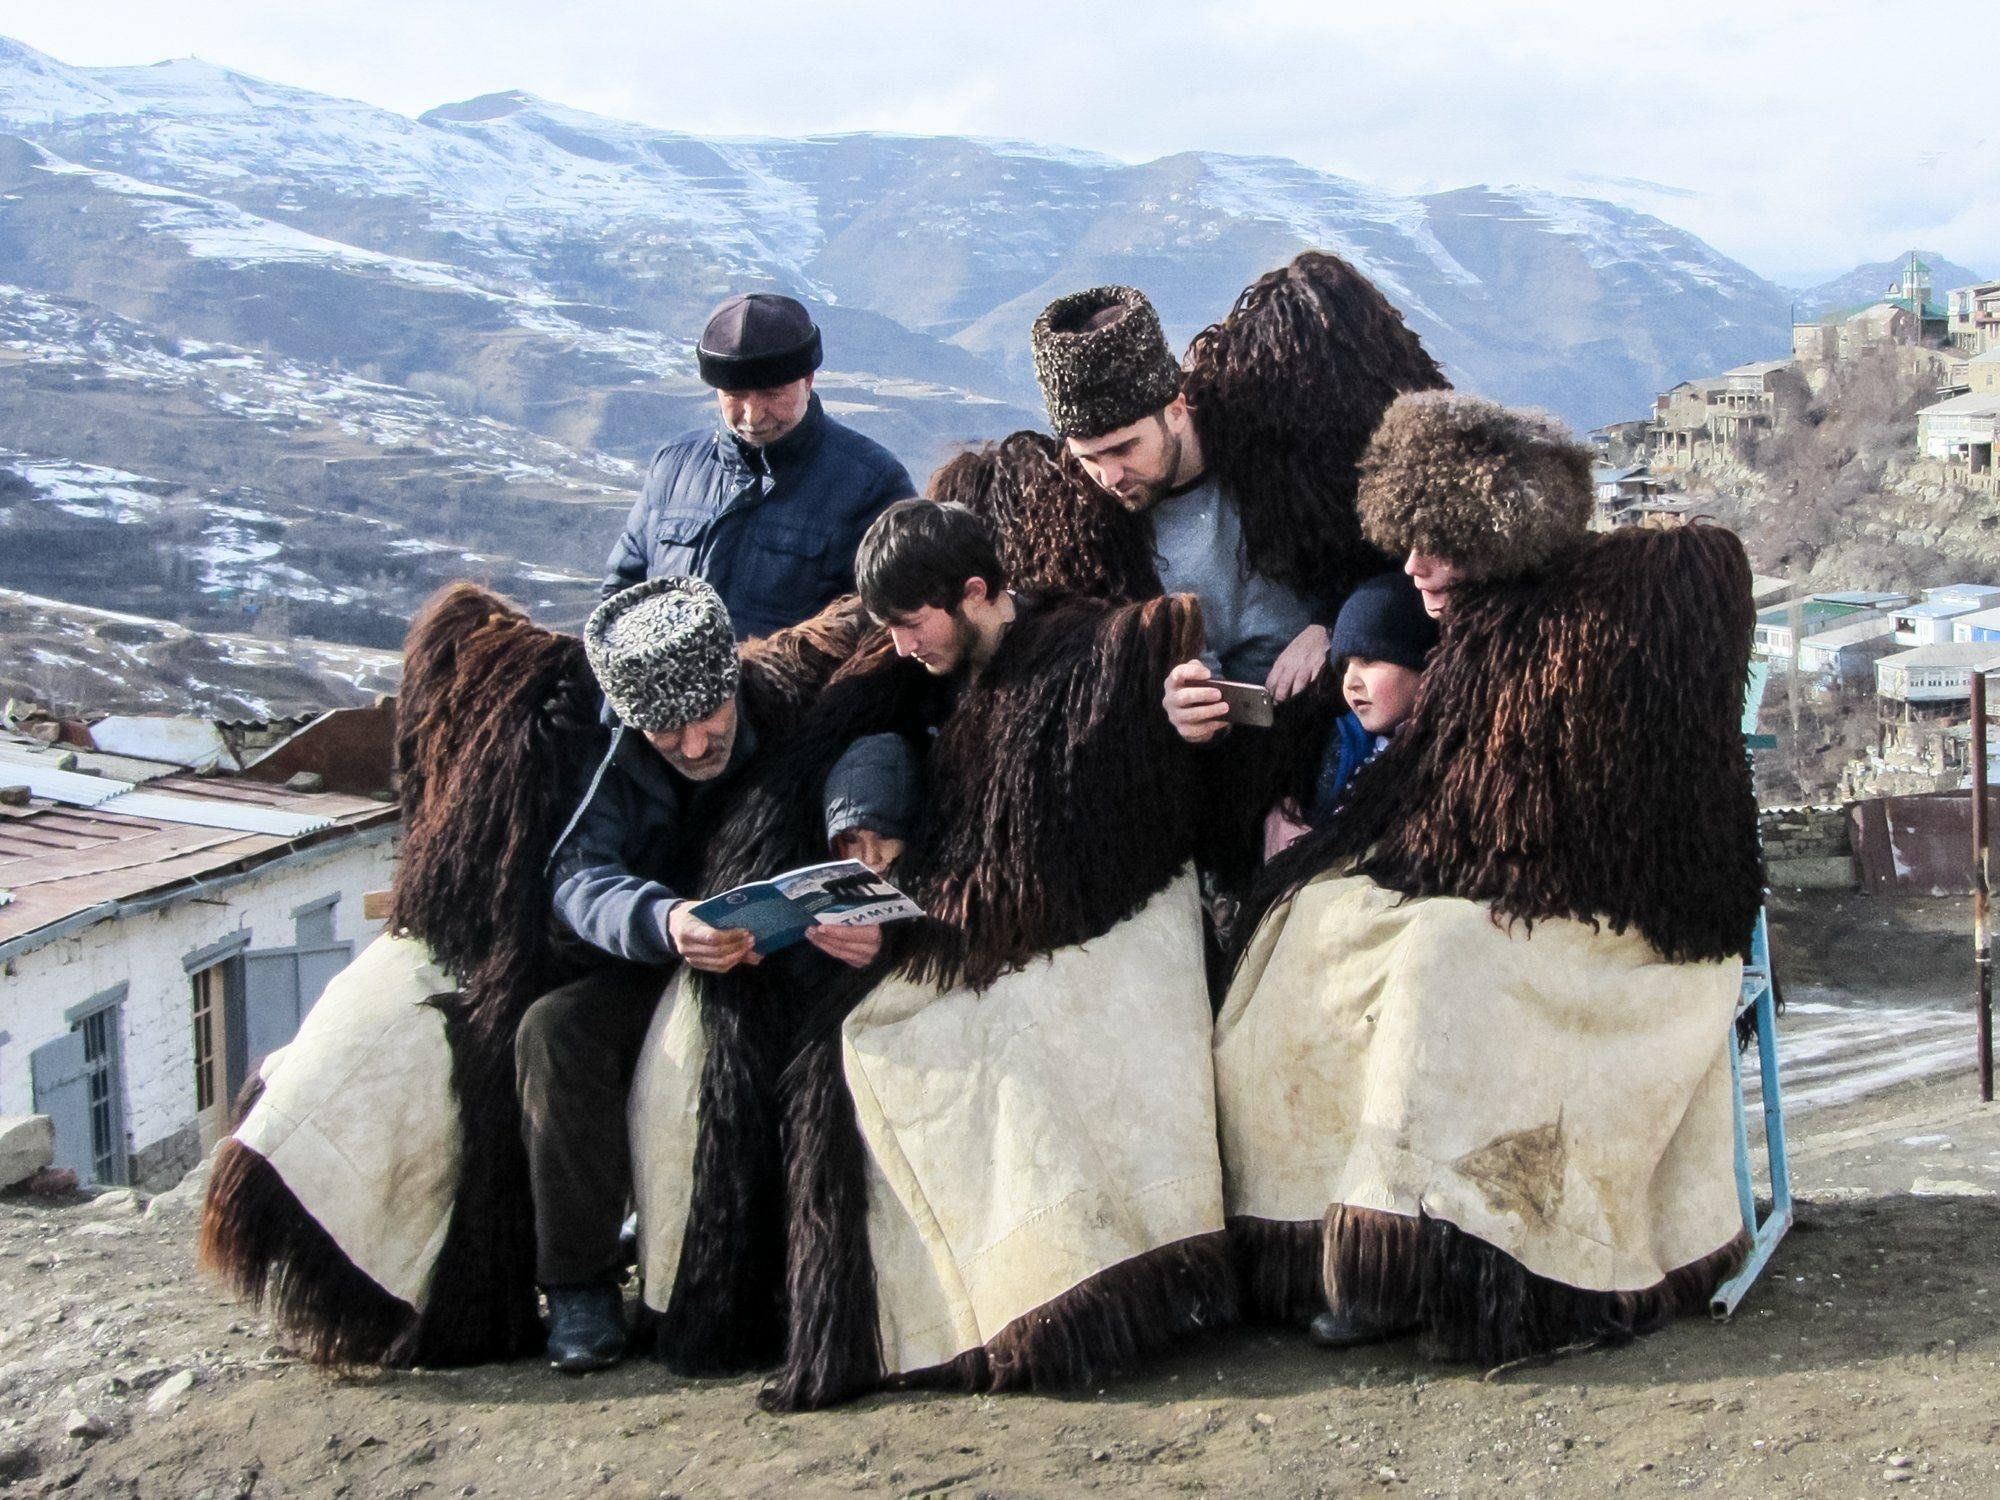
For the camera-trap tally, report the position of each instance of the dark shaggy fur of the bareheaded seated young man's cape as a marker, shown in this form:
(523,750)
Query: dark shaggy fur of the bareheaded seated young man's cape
(1059,801)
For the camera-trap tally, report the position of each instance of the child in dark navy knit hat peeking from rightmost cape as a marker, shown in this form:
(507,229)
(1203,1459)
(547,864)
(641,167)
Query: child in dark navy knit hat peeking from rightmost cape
(1381,641)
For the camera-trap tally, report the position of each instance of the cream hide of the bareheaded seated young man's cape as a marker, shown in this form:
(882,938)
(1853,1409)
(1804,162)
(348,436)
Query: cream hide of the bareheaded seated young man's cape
(1019,1139)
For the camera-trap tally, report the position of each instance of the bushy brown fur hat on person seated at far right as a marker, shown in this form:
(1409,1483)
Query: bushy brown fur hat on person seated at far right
(1489,489)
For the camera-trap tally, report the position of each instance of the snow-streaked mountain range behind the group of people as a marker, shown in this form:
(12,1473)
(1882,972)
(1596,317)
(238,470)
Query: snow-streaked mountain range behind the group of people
(319,355)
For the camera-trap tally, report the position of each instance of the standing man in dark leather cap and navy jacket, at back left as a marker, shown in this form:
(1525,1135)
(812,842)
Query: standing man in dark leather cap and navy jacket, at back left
(771,503)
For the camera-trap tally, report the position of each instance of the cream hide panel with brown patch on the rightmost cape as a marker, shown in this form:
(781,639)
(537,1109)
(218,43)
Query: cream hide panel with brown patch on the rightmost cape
(1563,1097)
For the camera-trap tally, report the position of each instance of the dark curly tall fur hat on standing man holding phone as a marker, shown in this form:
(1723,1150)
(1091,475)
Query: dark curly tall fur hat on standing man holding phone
(1103,361)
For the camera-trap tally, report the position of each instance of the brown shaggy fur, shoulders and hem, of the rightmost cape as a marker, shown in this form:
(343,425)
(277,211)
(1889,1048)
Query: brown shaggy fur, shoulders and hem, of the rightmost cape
(1575,753)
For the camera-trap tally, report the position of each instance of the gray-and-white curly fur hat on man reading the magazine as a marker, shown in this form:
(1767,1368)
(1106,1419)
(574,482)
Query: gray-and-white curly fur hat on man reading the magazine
(665,653)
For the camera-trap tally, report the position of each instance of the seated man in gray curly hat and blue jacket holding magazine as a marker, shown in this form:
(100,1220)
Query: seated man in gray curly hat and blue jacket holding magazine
(667,661)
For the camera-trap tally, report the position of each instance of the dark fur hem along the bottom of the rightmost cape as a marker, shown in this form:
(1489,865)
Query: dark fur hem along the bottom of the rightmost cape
(1477,1305)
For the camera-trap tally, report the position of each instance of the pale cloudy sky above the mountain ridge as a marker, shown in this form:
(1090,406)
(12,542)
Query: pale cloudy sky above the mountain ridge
(1799,139)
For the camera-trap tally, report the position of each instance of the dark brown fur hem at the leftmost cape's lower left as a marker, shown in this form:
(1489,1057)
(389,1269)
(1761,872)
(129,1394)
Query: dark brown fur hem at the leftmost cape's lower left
(271,1251)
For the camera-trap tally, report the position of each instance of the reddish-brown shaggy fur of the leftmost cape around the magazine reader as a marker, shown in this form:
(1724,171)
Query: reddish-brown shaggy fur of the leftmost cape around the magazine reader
(495,719)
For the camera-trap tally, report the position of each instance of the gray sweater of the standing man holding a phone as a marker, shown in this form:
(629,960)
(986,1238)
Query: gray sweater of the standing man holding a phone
(1197,543)
